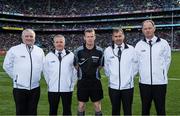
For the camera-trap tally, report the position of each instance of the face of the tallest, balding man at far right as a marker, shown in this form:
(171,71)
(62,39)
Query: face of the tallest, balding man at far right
(148,30)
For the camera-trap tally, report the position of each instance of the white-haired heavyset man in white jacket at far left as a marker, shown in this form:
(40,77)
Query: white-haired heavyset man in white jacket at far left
(24,63)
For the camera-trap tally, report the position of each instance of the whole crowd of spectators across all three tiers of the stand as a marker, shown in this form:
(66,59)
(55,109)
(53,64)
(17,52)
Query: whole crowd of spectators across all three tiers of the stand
(86,7)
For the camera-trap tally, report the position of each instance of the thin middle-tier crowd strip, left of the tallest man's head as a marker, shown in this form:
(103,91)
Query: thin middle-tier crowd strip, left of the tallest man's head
(68,26)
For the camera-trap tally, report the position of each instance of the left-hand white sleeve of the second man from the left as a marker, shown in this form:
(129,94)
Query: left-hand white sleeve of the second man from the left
(46,70)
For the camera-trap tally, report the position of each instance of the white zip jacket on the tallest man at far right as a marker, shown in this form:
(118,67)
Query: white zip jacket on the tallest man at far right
(153,61)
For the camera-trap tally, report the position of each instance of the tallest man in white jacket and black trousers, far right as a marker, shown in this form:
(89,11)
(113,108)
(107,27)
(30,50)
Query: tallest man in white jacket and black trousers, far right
(154,57)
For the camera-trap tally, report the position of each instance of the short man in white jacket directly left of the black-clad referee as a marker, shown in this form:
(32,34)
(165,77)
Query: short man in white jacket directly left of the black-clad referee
(60,76)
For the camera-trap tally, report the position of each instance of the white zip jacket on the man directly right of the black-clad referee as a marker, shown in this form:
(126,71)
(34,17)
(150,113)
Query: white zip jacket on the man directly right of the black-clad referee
(121,74)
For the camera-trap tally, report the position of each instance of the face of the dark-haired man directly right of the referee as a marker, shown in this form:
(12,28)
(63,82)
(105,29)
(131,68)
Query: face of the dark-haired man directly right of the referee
(118,37)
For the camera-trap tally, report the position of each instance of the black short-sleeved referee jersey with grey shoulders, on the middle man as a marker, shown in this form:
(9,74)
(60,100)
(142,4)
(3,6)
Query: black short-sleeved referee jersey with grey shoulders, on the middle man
(89,61)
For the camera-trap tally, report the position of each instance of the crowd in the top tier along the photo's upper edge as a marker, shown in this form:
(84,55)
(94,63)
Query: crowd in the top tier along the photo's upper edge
(83,7)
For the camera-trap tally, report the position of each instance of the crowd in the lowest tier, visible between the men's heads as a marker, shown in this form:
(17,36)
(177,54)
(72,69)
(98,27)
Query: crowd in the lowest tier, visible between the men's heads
(74,40)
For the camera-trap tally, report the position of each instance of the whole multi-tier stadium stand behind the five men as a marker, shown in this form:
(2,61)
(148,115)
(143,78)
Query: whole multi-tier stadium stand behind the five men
(71,17)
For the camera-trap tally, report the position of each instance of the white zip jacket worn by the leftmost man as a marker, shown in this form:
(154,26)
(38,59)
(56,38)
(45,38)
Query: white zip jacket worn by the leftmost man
(23,66)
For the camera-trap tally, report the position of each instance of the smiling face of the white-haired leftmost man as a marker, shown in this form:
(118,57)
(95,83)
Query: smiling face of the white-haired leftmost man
(28,38)
